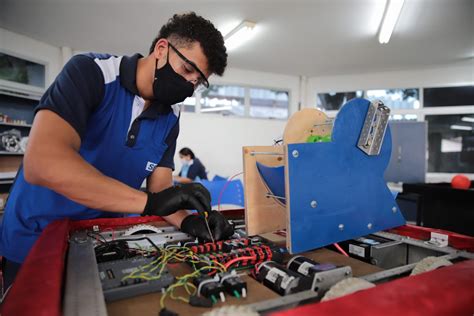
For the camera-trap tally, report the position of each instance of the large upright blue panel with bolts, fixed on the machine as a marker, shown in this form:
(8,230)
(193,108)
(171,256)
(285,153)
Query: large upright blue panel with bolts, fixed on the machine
(336,191)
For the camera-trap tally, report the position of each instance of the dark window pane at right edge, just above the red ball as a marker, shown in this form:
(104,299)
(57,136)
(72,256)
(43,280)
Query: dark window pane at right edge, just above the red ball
(451,143)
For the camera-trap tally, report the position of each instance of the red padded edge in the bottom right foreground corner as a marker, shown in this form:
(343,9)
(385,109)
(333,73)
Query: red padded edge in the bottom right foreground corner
(446,291)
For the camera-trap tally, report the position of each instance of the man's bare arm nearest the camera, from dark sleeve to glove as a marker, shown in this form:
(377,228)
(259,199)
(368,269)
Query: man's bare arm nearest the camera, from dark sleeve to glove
(52,160)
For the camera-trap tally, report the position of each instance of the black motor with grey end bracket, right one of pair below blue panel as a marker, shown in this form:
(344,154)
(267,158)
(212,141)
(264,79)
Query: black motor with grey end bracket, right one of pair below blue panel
(323,275)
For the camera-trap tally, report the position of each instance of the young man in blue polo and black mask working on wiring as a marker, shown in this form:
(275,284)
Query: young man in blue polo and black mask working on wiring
(105,125)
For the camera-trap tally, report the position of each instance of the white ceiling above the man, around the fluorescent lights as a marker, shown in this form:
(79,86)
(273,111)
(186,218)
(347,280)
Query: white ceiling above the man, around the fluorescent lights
(304,37)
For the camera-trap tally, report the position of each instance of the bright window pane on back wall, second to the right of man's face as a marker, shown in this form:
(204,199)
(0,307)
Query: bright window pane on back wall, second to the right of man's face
(267,103)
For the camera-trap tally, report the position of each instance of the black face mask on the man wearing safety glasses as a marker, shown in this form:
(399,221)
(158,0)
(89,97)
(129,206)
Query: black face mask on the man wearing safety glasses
(169,87)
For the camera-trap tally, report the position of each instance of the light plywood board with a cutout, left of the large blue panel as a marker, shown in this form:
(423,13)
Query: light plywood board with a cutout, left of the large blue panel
(262,214)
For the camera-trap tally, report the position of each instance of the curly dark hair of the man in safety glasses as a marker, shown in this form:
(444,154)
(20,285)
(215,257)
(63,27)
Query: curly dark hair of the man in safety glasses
(190,27)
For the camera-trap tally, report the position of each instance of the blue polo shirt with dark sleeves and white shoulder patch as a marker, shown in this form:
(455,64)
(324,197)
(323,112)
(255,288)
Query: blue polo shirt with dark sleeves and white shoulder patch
(97,95)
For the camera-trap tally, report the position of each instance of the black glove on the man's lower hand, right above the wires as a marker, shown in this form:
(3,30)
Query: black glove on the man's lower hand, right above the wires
(195,225)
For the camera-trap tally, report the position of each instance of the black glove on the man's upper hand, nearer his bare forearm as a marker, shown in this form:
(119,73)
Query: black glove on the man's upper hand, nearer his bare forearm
(189,196)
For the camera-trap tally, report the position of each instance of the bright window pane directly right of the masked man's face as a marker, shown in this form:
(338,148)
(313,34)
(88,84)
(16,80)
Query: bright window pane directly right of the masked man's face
(227,100)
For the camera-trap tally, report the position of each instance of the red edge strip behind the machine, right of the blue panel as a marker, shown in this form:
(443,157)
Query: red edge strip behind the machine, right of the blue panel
(455,240)
